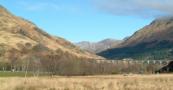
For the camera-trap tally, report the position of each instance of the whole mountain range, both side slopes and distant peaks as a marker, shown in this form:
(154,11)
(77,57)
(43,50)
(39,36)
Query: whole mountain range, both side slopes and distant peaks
(21,38)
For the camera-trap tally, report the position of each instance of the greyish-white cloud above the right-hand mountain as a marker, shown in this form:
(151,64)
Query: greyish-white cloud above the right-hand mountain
(144,8)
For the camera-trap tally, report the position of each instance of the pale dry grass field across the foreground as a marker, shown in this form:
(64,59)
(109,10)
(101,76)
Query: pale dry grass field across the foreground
(118,82)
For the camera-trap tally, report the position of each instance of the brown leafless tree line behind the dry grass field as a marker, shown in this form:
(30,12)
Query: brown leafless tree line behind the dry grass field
(40,59)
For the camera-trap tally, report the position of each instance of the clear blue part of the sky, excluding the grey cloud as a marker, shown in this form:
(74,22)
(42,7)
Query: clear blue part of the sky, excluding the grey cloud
(76,20)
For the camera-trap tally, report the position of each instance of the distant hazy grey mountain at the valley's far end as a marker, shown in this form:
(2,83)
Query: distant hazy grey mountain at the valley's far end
(97,47)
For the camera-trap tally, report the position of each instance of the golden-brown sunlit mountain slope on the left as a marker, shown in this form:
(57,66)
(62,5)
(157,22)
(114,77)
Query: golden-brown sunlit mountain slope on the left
(21,38)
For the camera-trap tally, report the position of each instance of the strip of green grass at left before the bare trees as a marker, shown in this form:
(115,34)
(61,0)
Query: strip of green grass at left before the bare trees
(14,74)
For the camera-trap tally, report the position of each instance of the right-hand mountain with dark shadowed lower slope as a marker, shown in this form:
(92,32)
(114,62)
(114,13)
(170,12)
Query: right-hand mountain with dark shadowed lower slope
(154,41)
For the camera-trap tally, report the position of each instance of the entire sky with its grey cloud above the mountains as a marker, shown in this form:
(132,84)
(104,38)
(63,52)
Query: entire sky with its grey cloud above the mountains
(89,20)
